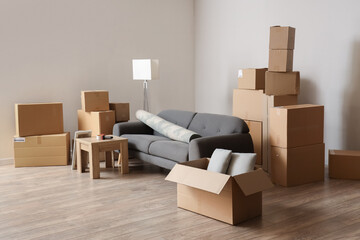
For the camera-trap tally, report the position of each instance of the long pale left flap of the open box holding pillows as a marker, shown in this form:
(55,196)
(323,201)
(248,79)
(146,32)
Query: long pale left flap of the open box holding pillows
(198,178)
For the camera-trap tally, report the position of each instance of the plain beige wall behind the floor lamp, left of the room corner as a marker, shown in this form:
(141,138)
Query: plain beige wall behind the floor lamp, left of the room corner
(50,50)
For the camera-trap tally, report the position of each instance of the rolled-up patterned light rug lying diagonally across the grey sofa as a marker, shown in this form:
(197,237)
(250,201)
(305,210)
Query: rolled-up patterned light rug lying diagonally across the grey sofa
(166,128)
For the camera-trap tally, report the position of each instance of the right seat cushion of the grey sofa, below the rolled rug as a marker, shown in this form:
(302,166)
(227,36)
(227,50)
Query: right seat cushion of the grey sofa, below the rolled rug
(173,150)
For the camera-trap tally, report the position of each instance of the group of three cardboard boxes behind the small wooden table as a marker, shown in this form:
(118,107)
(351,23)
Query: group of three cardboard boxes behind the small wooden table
(98,115)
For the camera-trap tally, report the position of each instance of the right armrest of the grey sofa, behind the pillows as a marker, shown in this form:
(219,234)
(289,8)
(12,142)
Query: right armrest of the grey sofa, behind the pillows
(205,146)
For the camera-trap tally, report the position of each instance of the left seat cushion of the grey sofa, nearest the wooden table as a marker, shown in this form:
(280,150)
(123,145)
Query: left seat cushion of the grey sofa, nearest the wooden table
(141,142)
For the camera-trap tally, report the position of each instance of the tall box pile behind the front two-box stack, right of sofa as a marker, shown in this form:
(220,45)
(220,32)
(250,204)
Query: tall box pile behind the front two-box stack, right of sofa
(261,89)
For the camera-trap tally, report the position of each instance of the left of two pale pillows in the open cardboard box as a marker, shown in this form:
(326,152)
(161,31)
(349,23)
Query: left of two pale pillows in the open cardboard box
(219,161)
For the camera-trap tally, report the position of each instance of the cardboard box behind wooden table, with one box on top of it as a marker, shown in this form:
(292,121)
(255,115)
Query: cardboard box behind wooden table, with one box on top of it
(98,122)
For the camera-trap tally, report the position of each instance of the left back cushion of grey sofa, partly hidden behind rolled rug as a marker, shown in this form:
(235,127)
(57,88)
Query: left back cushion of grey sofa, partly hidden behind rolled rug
(178,117)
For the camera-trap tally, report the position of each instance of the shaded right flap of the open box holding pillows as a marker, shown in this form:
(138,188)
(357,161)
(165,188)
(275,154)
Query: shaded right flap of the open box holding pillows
(253,182)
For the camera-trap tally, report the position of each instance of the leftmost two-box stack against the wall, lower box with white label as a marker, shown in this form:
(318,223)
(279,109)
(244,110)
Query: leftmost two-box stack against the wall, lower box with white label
(40,139)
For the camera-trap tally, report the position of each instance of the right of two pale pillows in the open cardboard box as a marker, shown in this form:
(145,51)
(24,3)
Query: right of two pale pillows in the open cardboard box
(241,163)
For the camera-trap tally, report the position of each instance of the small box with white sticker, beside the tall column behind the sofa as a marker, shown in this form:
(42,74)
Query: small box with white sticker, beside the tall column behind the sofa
(252,78)
